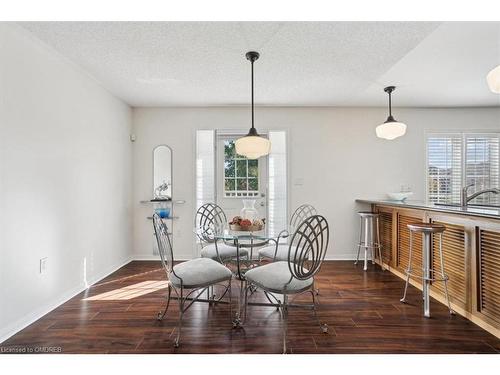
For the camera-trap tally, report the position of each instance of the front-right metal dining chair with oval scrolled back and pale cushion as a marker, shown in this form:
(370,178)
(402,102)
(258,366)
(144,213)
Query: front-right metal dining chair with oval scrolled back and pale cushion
(296,275)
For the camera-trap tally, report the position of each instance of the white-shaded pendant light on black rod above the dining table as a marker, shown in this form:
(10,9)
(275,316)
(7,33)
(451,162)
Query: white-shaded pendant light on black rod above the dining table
(252,145)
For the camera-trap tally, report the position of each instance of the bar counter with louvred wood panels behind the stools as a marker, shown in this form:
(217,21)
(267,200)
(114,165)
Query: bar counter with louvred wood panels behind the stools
(471,251)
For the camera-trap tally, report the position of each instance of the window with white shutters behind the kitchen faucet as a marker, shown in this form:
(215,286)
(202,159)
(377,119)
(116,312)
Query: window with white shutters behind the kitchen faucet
(455,160)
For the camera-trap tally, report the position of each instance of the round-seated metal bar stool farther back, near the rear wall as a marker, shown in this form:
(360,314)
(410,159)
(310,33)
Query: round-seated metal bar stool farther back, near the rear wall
(368,239)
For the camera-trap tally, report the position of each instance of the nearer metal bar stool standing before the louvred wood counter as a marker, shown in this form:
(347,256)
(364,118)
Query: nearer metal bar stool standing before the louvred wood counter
(427,230)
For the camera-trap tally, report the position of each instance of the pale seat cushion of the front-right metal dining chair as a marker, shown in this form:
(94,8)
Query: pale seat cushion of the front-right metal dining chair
(274,276)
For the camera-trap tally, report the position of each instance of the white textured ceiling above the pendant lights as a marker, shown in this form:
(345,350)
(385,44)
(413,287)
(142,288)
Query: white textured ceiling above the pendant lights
(302,63)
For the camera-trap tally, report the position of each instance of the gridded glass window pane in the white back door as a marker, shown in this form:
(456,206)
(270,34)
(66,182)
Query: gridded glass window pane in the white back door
(241,175)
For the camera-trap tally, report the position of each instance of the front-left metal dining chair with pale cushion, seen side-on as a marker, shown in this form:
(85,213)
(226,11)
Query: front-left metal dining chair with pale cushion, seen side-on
(196,275)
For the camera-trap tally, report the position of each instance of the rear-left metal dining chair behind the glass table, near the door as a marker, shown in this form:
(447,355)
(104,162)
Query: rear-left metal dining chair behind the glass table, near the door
(209,219)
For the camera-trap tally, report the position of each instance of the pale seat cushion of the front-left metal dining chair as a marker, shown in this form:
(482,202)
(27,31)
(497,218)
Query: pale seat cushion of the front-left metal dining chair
(199,272)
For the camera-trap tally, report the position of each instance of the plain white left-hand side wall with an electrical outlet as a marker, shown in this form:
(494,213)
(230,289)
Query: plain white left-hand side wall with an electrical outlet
(65,179)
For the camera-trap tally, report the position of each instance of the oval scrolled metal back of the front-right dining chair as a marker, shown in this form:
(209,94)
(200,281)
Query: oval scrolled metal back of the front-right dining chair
(311,239)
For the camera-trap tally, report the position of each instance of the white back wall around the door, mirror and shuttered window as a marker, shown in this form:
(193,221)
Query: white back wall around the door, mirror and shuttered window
(334,150)
